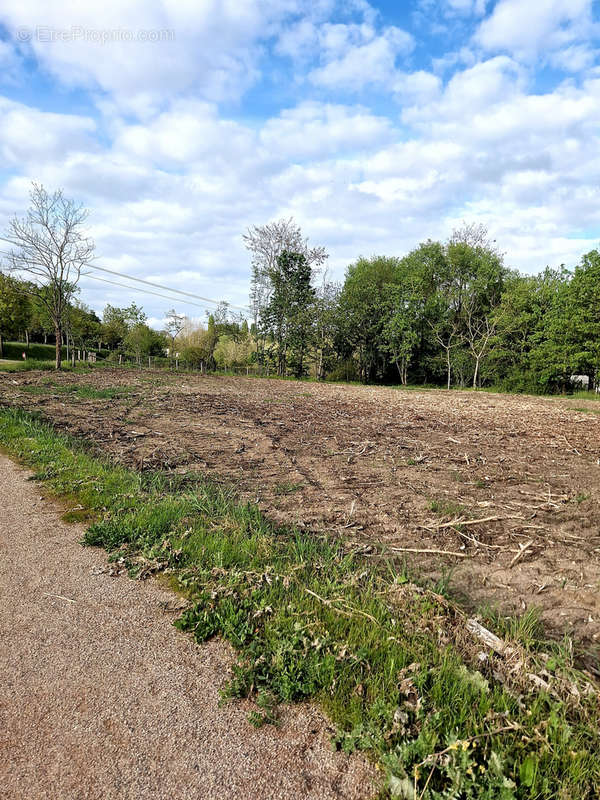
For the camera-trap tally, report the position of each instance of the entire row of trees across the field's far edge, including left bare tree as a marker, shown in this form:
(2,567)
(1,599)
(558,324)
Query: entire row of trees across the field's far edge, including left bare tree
(447,313)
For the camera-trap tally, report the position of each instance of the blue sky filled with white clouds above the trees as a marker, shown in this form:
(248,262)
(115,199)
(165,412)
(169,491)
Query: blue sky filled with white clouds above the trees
(179,123)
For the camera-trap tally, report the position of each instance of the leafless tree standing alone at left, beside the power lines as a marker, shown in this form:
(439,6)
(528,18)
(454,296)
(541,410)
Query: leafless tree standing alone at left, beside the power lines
(49,246)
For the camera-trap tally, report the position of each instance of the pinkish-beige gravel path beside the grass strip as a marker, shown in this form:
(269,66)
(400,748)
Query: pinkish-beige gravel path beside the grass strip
(100,697)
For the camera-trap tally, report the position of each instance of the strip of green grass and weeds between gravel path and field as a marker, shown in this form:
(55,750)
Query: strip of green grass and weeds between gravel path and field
(389,662)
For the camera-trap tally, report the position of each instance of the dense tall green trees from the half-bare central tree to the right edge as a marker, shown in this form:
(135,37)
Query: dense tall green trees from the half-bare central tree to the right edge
(449,313)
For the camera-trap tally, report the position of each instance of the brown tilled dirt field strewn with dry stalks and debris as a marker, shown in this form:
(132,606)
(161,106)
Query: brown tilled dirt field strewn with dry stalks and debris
(509,485)
